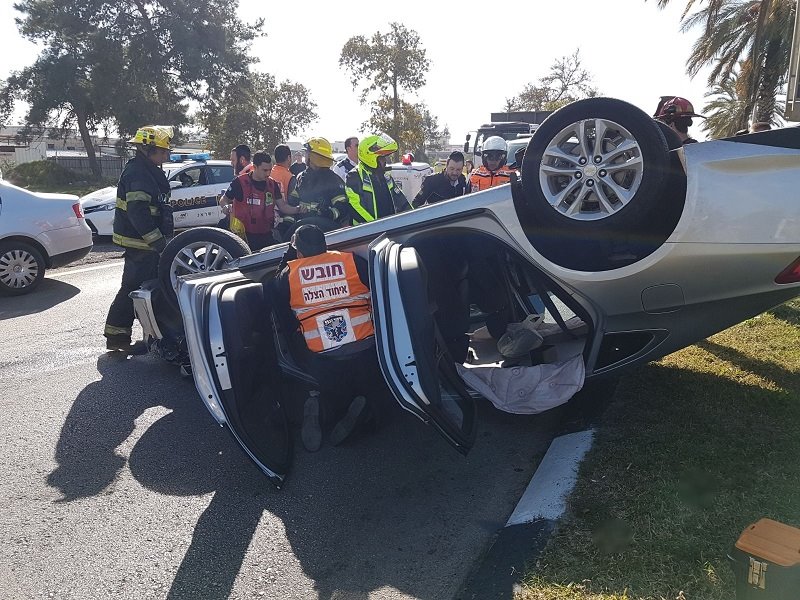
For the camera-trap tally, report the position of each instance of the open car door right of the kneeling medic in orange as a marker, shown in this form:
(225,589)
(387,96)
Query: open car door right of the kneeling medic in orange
(415,361)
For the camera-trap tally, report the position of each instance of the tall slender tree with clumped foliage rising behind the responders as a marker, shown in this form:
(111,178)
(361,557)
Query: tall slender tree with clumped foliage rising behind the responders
(387,64)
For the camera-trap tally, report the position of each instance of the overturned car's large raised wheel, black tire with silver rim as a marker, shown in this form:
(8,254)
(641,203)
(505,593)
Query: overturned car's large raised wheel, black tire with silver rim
(583,204)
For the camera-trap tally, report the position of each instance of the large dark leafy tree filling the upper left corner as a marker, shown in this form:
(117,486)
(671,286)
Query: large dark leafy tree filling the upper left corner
(126,62)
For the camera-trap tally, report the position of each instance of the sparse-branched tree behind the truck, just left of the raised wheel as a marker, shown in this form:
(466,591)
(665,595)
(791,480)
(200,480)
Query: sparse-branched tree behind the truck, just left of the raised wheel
(566,82)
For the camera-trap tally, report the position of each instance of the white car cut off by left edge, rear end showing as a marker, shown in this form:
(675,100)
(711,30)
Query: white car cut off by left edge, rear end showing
(38,232)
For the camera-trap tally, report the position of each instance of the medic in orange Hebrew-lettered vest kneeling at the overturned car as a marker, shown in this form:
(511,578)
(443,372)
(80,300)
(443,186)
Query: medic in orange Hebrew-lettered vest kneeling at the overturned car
(322,297)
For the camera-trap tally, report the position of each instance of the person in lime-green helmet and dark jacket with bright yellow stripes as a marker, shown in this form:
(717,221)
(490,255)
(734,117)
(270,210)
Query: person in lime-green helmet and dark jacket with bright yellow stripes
(371,190)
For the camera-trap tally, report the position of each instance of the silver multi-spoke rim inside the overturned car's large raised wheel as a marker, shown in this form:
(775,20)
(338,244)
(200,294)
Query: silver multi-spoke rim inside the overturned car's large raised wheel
(591,170)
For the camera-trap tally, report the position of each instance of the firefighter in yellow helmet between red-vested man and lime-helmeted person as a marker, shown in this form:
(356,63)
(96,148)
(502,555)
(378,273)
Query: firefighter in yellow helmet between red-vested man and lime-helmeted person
(319,191)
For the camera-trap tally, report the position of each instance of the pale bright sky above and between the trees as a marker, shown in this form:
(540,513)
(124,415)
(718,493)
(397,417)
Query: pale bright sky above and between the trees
(480,54)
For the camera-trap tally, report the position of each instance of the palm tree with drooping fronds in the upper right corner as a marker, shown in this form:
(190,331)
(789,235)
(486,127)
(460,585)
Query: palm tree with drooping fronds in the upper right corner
(757,33)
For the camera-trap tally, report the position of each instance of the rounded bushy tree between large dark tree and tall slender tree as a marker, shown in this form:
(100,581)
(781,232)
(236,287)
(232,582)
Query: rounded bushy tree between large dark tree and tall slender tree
(257,111)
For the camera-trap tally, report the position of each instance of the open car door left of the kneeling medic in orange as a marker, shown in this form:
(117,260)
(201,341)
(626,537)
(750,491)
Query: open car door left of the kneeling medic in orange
(235,368)
